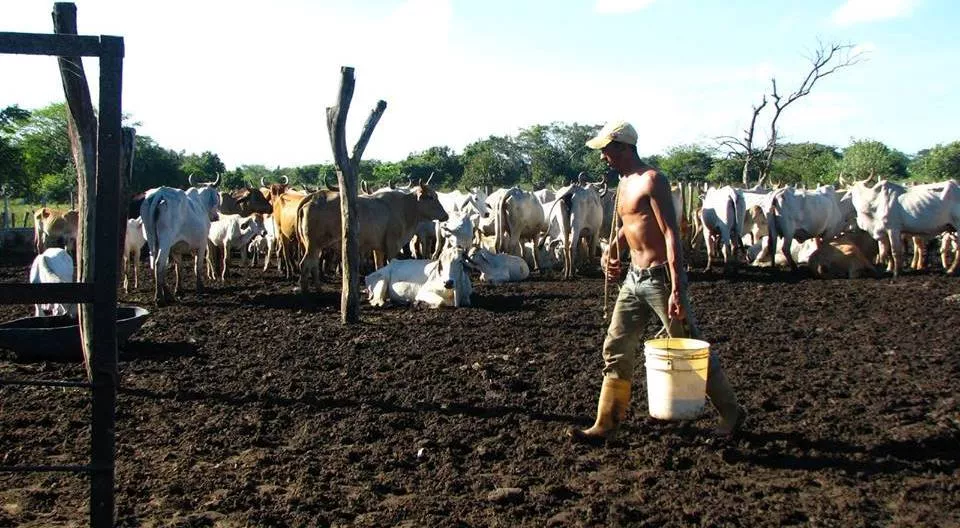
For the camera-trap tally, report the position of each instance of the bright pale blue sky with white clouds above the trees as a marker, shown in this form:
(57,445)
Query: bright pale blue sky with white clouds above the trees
(250,80)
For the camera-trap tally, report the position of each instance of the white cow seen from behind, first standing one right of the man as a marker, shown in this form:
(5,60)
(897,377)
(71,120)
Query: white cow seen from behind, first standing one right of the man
(721,218)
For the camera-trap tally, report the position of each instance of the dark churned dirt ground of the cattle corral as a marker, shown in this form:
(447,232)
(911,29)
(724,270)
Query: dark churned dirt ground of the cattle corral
(251,405)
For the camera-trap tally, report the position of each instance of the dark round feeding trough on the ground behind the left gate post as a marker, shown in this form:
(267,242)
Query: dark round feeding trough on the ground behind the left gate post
(58,337)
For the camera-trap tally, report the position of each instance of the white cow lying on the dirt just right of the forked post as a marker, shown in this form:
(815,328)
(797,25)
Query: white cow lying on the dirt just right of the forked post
(441,282)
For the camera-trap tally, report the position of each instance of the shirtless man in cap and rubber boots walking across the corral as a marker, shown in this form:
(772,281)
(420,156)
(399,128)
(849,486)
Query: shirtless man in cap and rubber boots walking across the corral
(655,285)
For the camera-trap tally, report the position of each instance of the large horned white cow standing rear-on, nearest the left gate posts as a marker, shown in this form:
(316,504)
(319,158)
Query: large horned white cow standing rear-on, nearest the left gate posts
(176,222)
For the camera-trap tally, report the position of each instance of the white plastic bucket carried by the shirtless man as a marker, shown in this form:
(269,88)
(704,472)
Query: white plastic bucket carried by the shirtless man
(676,377)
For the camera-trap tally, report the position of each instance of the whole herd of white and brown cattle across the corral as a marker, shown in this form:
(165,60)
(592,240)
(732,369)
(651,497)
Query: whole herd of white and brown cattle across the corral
(421,244)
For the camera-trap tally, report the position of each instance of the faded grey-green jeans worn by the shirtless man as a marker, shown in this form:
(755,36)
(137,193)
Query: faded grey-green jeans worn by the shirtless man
(644,293)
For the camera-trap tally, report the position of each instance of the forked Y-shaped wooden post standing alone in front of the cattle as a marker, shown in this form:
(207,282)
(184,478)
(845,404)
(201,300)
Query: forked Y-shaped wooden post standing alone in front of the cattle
(347,174)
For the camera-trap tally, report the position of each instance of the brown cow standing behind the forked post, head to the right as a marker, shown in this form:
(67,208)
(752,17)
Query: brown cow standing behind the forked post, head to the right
(387,220)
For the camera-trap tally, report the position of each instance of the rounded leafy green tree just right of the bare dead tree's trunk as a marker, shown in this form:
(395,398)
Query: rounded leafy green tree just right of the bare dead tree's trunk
(808,164)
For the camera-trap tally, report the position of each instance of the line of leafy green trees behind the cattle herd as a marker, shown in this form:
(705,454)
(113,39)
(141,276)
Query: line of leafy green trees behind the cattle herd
(36,163)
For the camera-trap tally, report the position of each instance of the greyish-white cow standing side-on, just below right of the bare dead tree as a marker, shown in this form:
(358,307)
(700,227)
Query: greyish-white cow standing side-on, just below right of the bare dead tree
(801,215)
